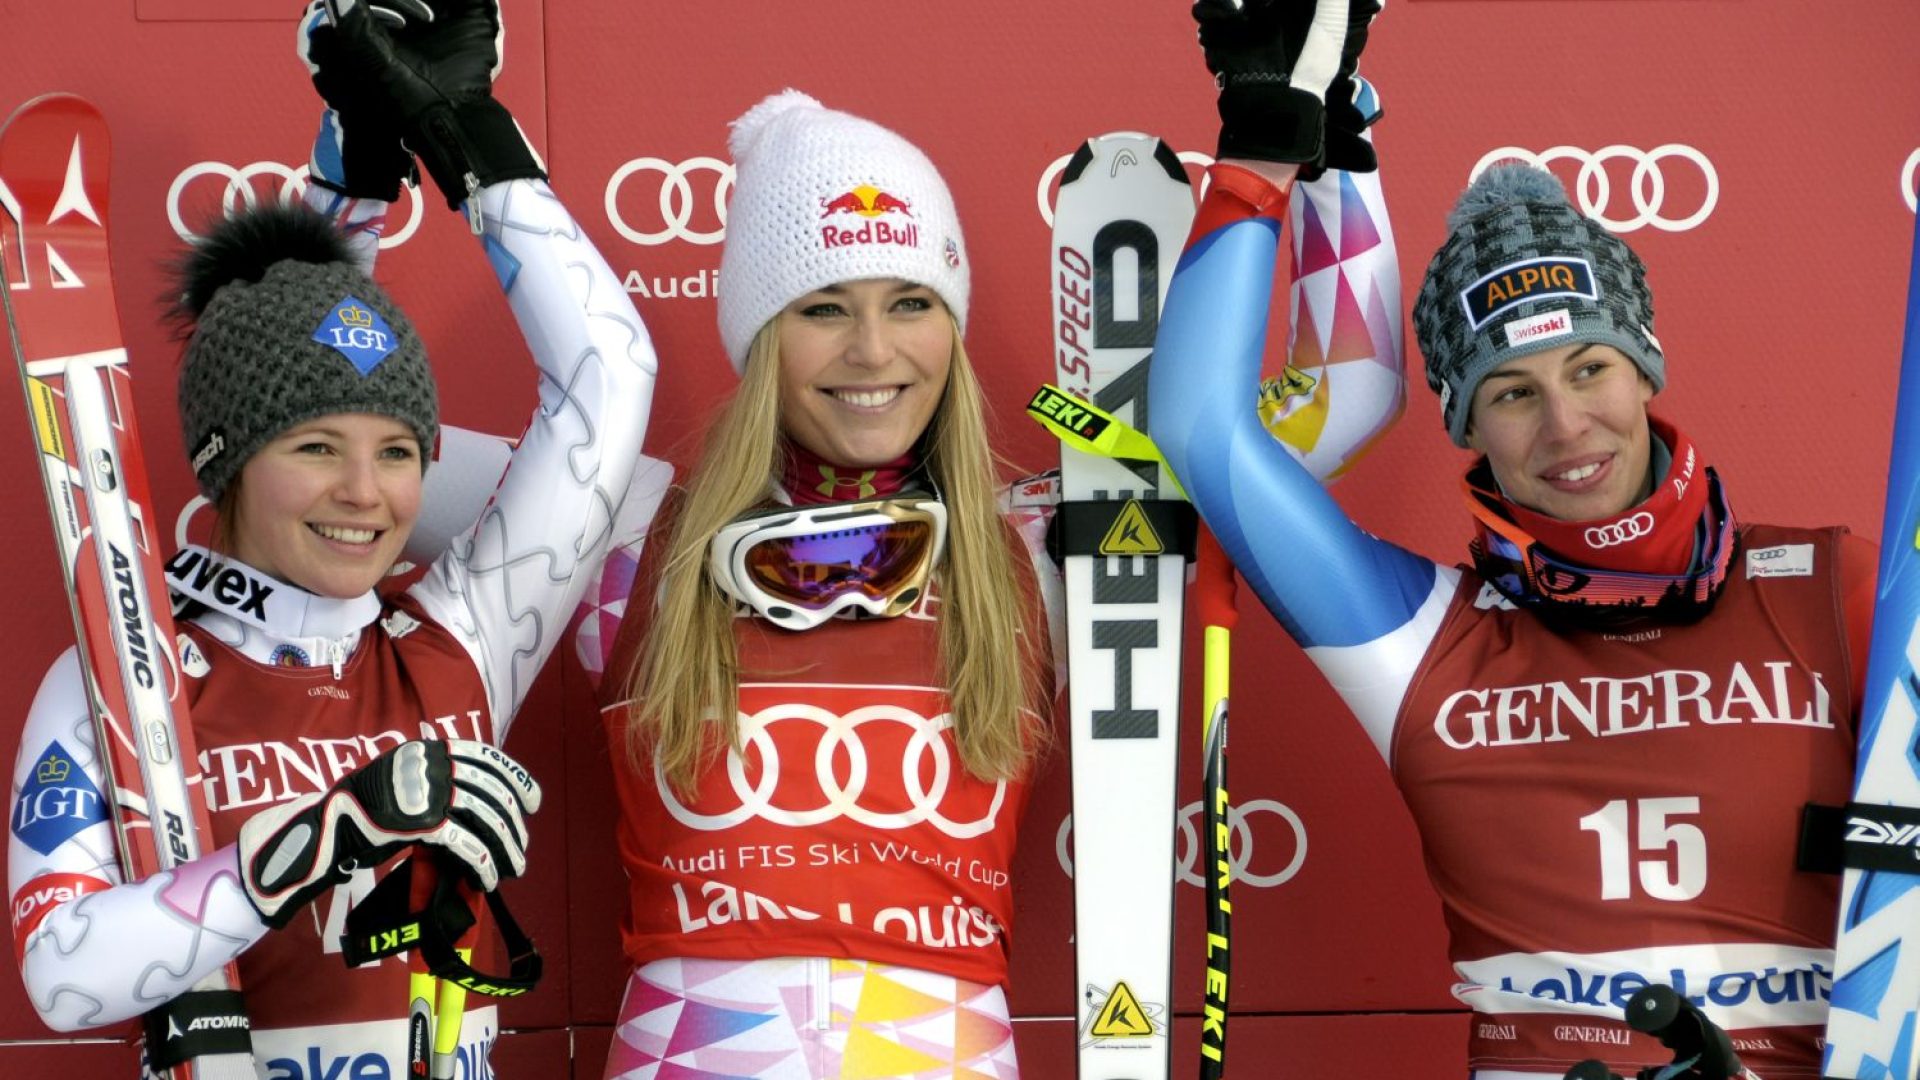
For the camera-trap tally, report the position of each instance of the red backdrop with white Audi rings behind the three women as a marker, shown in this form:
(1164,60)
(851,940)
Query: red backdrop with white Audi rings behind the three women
(1760,155)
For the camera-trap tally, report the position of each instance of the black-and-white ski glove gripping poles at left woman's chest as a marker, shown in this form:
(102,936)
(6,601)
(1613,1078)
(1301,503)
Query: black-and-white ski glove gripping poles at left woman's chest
(460,797)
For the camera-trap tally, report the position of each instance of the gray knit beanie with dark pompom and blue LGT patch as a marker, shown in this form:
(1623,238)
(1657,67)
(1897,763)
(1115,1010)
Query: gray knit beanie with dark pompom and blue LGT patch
(287,330)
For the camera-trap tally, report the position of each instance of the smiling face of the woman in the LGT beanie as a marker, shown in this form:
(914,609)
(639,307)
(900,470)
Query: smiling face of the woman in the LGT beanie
(329,504)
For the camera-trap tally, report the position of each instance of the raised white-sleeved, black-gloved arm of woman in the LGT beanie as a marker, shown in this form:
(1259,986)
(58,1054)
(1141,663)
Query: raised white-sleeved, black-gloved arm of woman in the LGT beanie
(510,587)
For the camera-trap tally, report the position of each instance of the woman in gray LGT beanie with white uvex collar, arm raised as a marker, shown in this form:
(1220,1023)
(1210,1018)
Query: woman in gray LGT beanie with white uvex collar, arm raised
(343,725)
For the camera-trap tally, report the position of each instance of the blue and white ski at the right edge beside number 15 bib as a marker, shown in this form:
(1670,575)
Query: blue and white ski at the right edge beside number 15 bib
(1871,1033)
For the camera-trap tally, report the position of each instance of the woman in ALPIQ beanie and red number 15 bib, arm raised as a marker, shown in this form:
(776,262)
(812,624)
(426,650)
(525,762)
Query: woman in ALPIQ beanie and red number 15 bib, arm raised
(1608,724)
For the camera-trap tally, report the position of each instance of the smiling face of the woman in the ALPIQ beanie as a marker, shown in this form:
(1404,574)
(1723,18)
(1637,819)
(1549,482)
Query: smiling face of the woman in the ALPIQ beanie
(1566,431)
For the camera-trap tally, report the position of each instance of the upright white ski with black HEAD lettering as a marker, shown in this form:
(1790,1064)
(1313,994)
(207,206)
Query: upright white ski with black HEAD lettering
(1124,537)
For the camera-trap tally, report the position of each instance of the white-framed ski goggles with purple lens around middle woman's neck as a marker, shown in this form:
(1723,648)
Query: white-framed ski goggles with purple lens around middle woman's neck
(802,566)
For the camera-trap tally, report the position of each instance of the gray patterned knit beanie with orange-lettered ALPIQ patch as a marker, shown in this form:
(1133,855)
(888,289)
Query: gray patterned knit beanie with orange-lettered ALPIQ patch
(1524,272)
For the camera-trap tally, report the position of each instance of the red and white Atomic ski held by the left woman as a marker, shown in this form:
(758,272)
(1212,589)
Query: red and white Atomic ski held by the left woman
(64,330)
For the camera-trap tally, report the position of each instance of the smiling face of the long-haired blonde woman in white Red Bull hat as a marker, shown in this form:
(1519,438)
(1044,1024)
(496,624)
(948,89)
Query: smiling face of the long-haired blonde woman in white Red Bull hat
(863,366)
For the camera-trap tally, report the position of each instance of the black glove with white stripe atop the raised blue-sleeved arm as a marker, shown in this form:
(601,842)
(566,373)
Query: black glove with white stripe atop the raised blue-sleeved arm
(1274,62)
